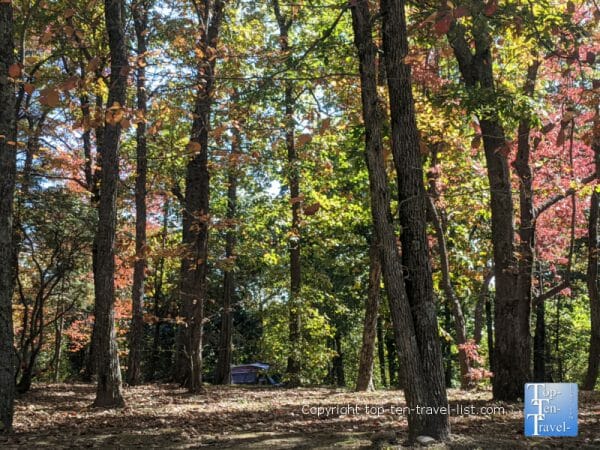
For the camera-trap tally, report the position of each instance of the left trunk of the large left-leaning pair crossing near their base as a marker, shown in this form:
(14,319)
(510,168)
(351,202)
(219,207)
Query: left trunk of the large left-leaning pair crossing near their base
(416,381)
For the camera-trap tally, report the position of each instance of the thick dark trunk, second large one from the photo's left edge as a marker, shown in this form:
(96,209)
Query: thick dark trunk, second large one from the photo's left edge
(108,392)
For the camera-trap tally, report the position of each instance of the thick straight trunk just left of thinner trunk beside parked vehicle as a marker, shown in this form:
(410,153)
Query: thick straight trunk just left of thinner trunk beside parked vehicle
(196,216)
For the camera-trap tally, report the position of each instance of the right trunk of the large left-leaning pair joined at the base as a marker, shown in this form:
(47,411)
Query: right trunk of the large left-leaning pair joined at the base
(412,200)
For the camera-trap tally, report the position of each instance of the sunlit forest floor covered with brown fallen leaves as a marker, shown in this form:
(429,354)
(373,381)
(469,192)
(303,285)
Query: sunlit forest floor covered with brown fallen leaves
(166,416)
